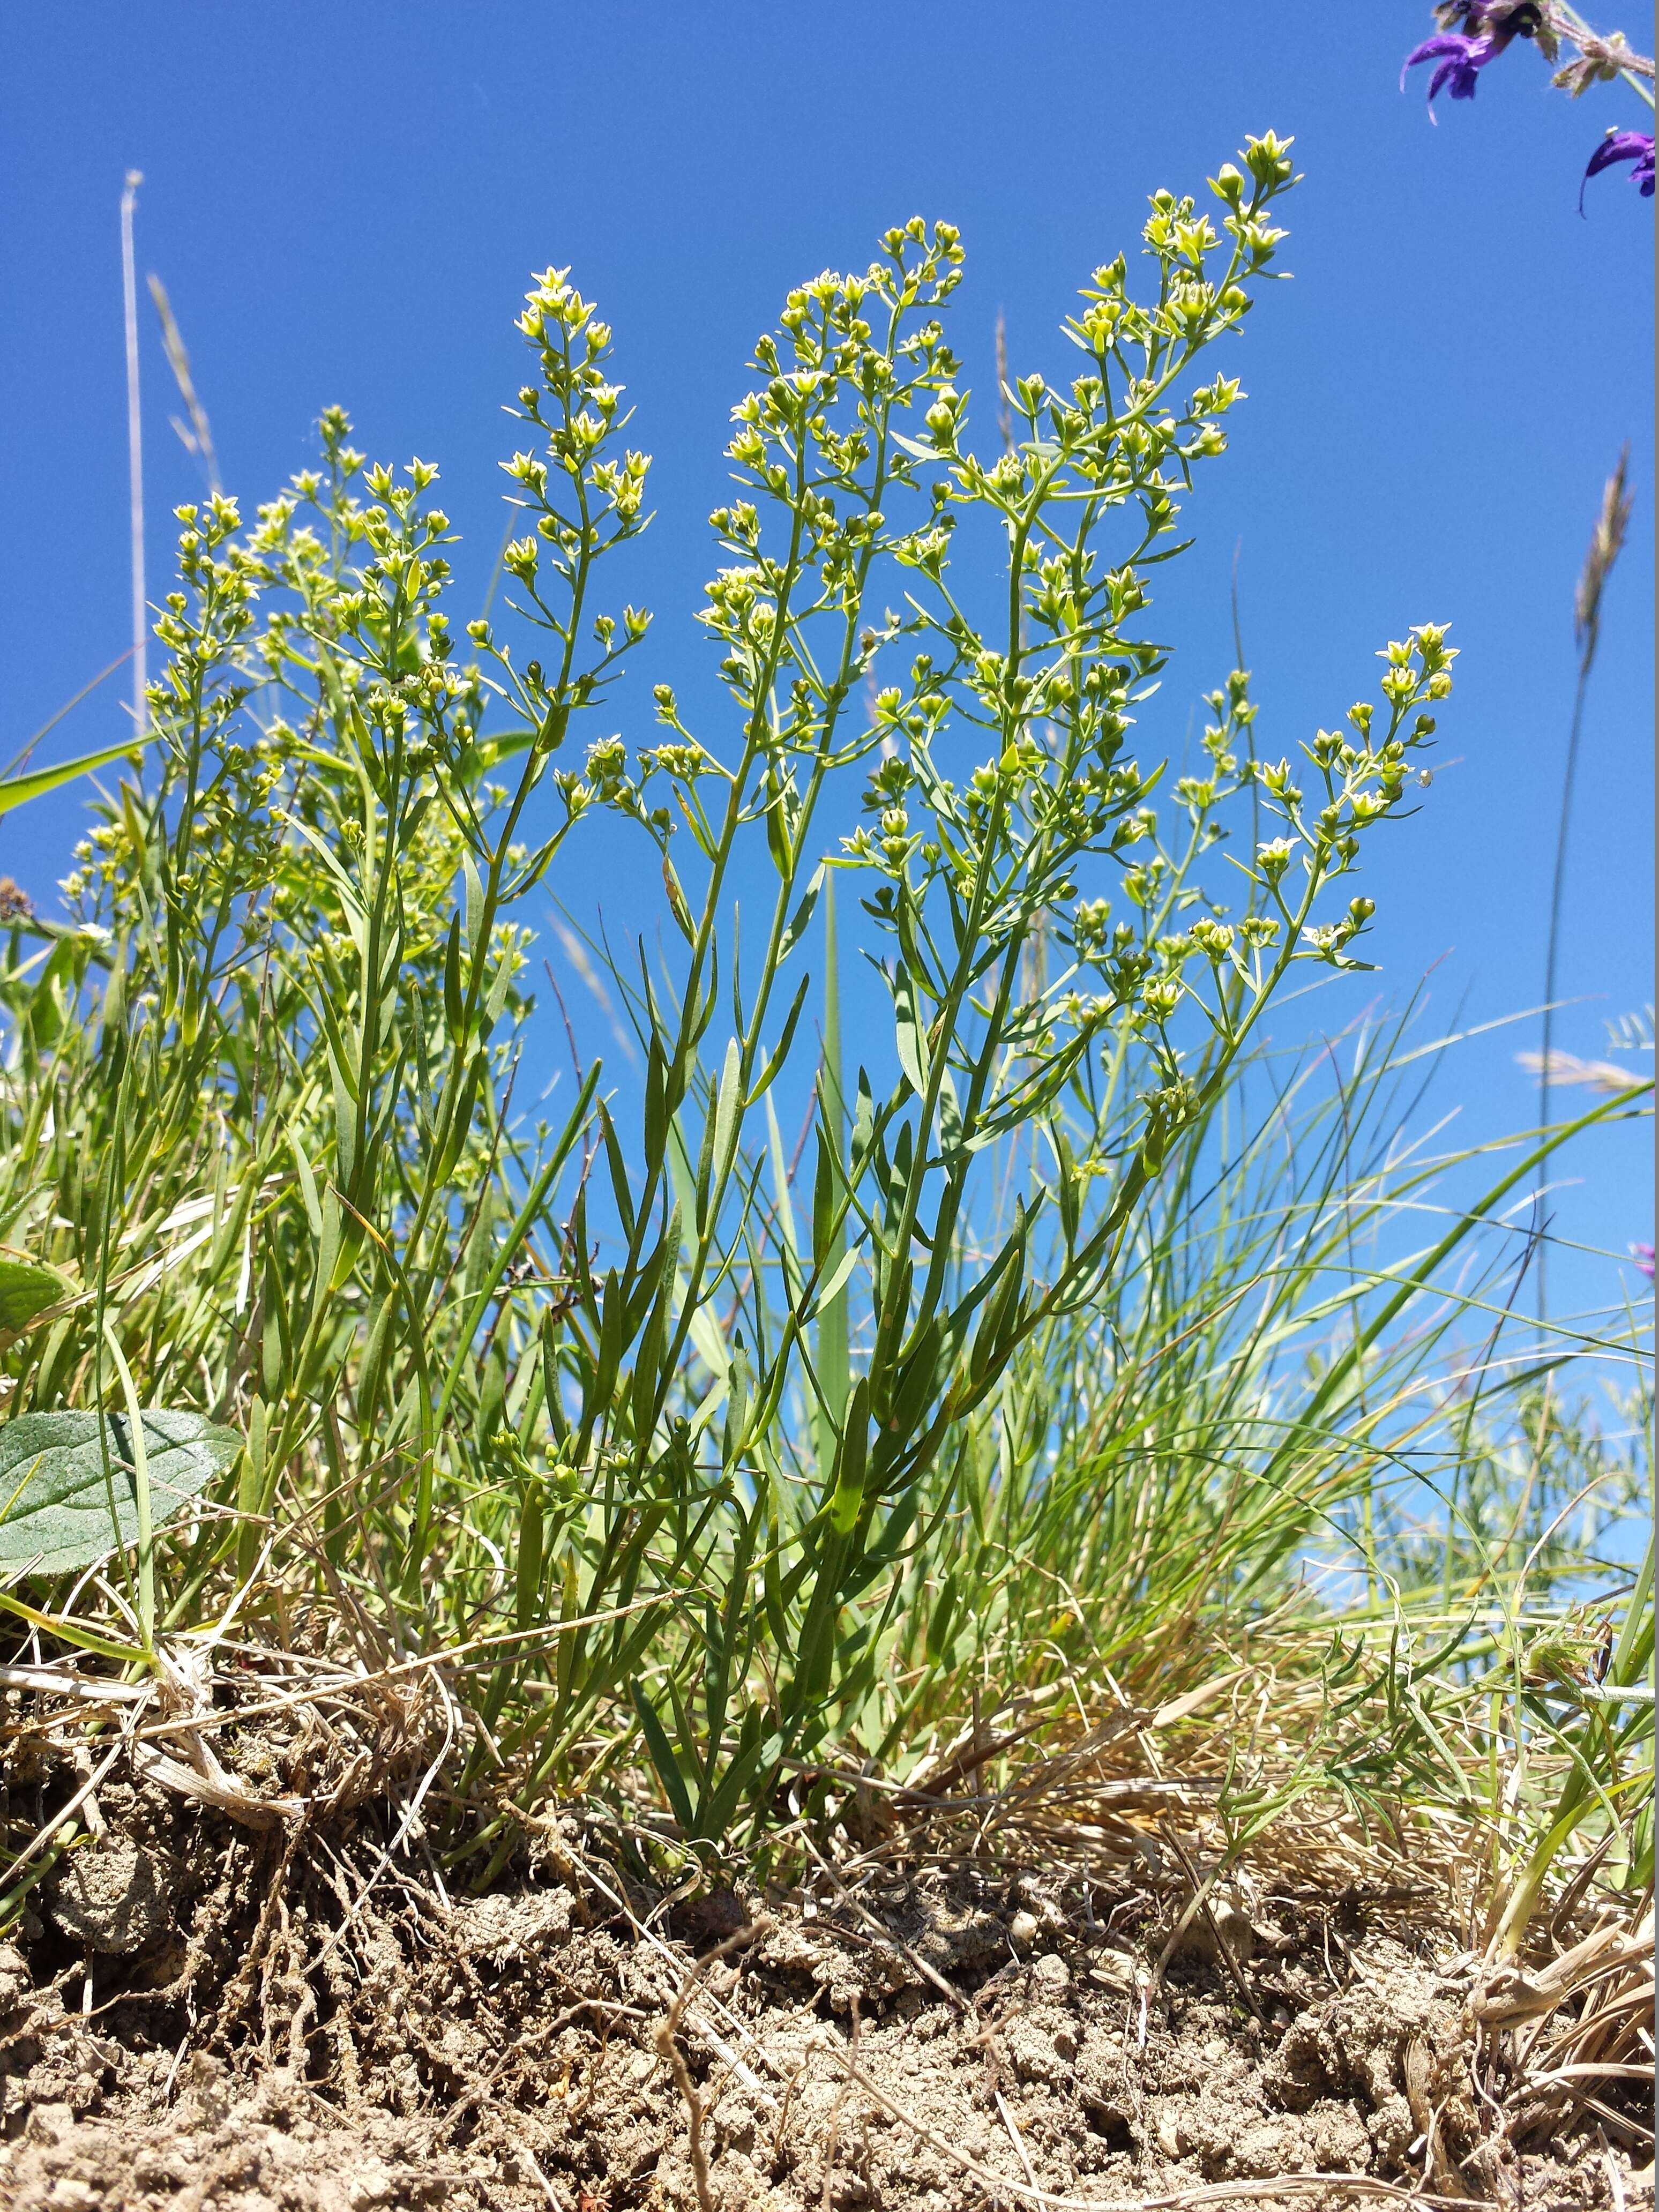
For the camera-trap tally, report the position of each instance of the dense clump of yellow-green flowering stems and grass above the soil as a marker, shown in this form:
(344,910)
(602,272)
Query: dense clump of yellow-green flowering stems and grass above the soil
(1078,1322)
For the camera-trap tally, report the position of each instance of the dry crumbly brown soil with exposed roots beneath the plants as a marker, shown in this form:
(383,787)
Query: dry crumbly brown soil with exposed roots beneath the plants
(198,2016)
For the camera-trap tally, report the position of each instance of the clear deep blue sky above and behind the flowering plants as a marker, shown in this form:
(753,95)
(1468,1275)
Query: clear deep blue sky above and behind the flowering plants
(346,202)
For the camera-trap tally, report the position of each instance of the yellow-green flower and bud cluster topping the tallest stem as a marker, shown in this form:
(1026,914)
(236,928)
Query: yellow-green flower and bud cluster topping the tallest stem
(1058,693)
